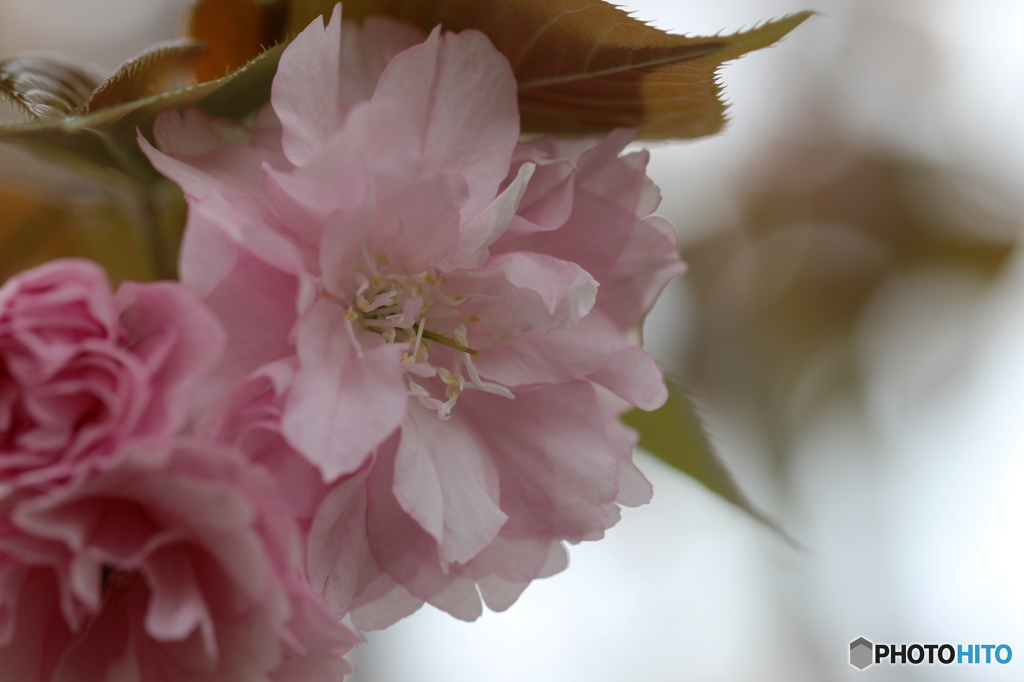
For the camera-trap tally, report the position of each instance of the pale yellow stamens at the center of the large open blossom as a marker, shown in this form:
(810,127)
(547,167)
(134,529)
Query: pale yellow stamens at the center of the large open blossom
(415,310)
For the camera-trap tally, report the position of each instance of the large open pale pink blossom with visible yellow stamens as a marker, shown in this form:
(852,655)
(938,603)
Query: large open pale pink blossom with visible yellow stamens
(439,319)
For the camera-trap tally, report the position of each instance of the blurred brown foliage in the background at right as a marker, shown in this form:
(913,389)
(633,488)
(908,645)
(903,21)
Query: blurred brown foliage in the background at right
(824,226)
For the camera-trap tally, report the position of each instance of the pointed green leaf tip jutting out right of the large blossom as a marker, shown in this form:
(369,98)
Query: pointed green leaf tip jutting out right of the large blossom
(675,435)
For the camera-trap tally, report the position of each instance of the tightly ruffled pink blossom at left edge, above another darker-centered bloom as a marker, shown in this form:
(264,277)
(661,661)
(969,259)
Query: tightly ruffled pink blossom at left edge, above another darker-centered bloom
(83,372)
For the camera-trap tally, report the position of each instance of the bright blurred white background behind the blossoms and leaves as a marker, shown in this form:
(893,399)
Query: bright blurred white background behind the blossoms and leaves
(908,498)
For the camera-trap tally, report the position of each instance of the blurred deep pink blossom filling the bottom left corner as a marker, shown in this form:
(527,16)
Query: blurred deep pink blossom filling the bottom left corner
(177,565)
